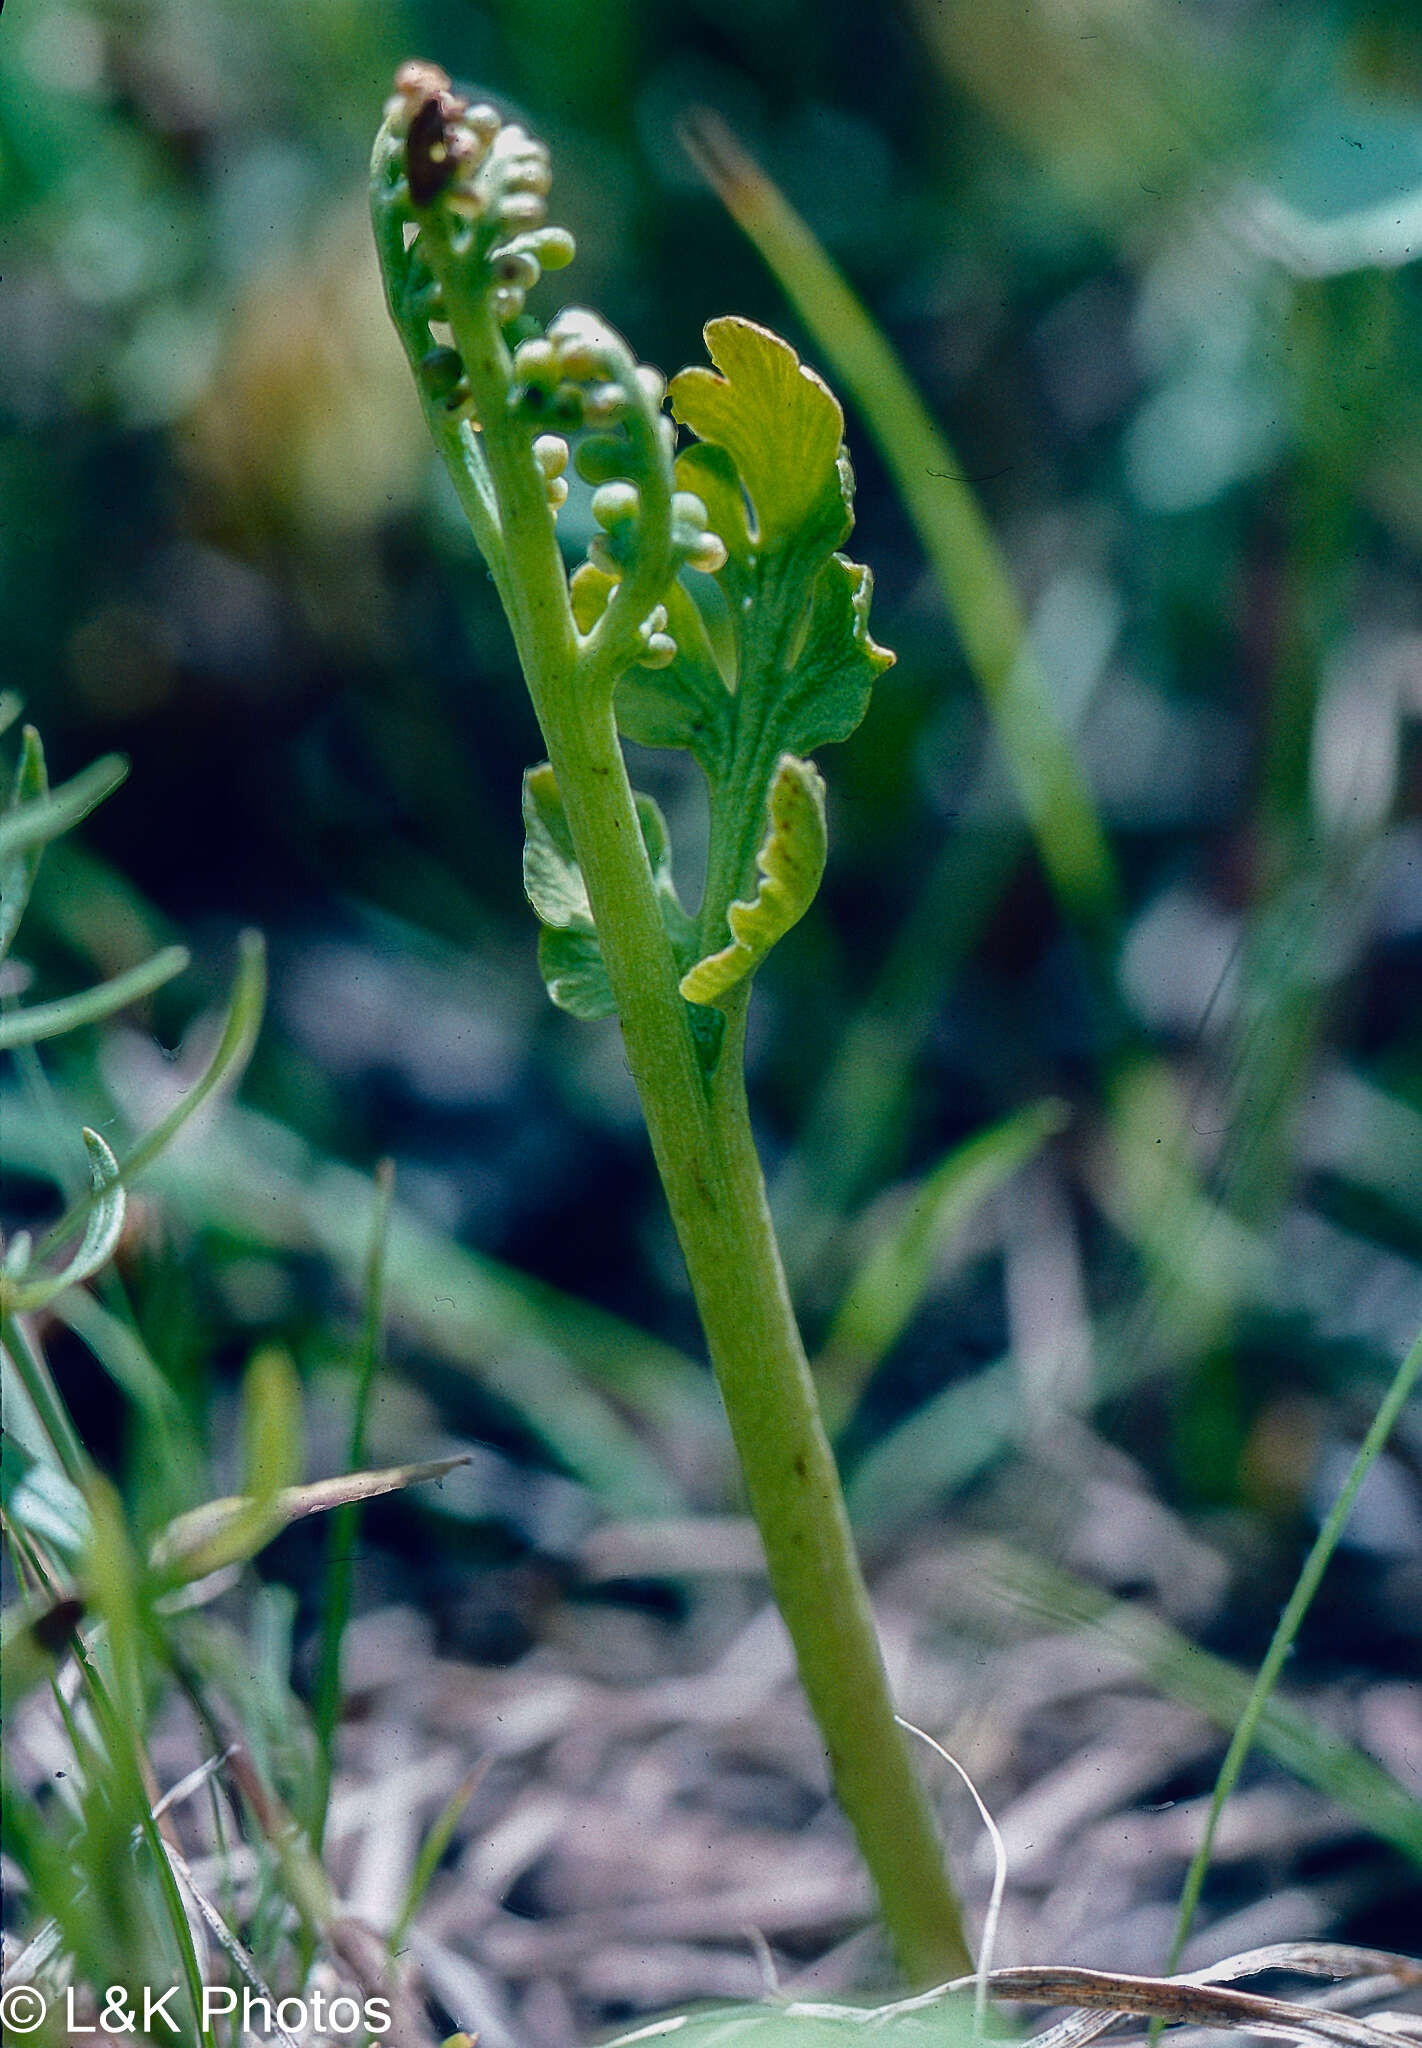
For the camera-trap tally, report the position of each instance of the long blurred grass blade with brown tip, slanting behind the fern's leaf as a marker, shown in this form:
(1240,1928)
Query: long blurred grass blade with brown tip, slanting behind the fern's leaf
(970,568)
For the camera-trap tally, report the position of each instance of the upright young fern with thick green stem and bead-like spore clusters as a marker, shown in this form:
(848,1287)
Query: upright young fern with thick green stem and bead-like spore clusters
(714,613)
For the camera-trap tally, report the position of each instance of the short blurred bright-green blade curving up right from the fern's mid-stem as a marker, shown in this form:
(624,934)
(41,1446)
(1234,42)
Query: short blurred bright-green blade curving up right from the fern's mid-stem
(894,1277)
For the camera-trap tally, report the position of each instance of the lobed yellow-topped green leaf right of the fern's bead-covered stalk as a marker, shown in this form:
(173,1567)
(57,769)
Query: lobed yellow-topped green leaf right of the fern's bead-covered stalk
(773,648)
